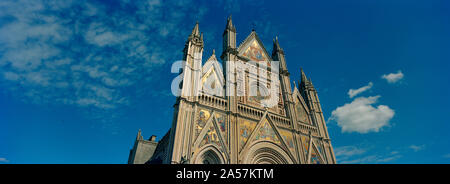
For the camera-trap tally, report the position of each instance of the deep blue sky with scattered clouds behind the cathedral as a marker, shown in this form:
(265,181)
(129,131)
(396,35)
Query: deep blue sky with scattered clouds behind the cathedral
(79,78)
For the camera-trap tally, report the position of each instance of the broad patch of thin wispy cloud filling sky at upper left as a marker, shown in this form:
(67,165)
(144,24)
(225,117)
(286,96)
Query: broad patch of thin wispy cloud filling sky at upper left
(88,53)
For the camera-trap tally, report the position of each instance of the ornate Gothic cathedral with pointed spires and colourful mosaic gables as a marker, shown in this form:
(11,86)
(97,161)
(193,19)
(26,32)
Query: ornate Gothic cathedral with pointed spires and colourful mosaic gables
(243,110)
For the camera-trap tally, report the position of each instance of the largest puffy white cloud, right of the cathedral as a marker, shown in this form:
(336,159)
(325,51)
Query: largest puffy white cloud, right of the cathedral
(360,116)
